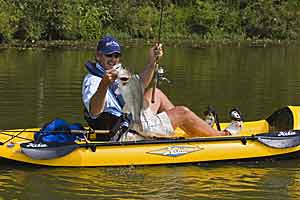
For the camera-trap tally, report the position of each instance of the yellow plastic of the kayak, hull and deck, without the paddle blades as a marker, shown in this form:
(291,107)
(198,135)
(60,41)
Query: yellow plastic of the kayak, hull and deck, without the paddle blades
(155,152)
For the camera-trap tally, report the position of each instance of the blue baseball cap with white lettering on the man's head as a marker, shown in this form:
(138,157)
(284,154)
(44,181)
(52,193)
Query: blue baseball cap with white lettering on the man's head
(108,45)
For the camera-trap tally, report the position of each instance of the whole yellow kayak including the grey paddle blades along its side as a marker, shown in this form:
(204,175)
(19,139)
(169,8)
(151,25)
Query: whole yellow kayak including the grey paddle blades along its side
(277,136)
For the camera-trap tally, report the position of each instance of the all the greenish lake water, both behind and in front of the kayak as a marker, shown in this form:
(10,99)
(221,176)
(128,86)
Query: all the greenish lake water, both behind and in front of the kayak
(38,85)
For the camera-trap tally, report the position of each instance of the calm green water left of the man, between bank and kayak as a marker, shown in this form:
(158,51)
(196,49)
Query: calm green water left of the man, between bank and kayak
(37,86)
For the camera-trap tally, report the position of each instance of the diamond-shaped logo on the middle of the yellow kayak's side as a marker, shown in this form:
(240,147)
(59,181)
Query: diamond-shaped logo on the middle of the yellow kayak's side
(174,151)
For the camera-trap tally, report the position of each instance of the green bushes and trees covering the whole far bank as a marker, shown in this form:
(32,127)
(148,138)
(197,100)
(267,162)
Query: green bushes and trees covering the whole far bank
(78,24)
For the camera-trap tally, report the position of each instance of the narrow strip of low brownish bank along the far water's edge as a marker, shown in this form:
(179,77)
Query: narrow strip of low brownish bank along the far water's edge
(90,45)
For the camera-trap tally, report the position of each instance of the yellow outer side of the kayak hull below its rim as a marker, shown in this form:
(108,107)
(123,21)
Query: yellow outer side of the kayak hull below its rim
(153,153)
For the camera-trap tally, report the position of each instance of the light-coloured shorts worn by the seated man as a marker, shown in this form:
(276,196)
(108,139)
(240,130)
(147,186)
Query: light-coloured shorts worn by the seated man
(157,123)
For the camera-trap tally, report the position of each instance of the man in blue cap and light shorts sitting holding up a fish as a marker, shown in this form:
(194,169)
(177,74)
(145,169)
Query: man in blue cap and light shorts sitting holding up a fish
(103,106)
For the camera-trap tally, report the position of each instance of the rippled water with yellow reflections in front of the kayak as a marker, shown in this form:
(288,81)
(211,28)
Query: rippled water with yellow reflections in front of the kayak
(226,181)
